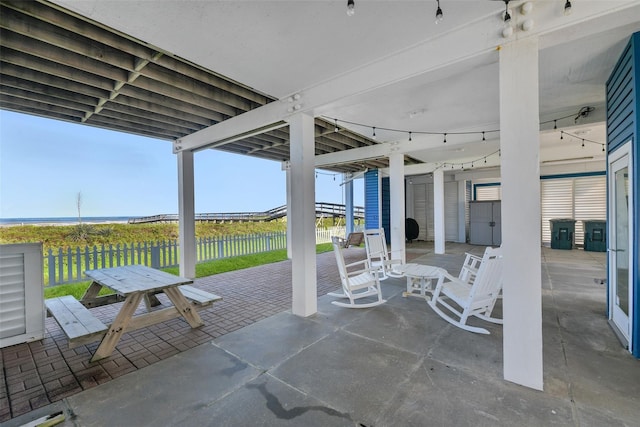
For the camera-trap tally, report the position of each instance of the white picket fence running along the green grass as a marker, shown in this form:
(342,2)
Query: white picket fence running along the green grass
(68,266)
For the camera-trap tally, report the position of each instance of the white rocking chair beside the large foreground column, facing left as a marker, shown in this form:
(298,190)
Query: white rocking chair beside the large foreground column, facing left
(474,298)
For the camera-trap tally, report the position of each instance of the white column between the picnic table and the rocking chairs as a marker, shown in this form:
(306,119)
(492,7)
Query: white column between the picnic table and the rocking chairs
(302,214)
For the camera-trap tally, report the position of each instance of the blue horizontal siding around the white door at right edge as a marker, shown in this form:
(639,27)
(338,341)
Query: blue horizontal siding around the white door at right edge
(623,124)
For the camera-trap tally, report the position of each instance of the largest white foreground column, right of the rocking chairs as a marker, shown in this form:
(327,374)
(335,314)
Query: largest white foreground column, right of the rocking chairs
(520,170)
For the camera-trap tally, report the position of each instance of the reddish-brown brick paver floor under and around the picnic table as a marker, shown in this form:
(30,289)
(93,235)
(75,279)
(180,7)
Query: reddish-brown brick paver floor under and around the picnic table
(38,373)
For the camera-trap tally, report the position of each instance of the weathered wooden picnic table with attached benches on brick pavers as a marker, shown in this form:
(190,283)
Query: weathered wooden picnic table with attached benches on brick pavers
(130,284)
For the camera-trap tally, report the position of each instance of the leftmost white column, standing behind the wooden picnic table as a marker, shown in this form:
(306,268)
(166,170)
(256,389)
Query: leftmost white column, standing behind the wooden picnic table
(187,215)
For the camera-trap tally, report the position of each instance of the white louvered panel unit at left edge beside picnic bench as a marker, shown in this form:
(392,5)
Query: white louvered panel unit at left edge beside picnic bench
(21,294)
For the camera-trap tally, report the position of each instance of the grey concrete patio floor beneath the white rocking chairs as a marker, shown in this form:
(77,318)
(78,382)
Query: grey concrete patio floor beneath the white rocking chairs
(397,364)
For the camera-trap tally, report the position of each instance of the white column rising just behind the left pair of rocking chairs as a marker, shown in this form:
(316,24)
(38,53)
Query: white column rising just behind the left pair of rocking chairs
(397,205)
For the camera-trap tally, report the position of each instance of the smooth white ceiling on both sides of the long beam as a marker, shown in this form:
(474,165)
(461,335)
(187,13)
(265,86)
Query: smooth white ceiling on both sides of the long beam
(281,47)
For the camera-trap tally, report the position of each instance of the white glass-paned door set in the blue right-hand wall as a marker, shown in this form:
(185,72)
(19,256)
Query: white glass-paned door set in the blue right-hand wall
(620,244)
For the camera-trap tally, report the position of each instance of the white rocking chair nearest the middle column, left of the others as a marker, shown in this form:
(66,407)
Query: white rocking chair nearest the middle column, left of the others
(355,284)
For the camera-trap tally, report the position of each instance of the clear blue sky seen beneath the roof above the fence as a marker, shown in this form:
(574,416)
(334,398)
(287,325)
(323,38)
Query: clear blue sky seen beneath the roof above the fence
(45,163)
